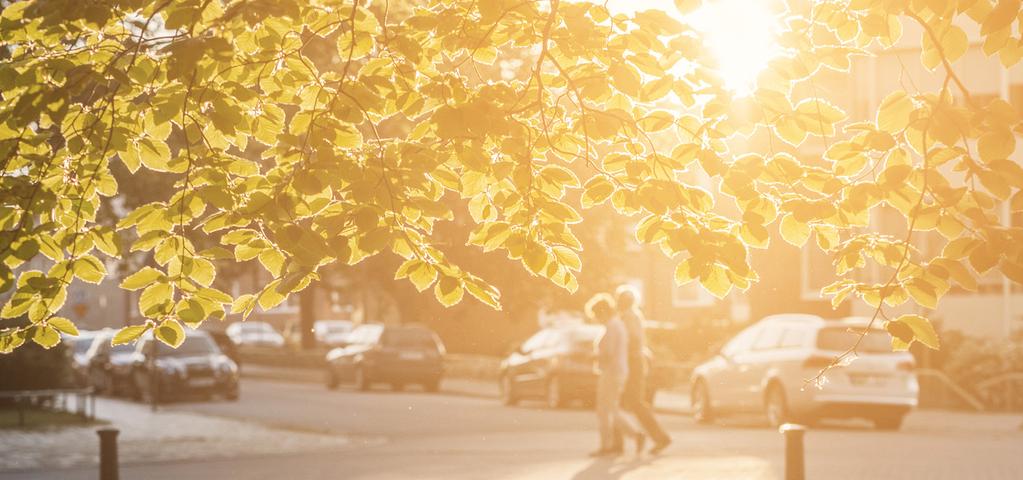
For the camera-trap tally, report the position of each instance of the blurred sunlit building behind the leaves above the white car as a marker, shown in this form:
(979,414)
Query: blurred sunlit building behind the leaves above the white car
(791,279)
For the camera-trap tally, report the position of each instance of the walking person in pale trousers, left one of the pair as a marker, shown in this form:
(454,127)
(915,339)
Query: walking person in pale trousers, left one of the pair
(612,357)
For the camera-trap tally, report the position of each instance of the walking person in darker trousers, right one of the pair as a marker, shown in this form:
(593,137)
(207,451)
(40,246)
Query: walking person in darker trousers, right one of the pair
(635,396)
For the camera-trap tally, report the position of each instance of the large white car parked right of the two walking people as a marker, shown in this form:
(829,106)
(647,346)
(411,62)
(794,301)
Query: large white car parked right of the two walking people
(767,368)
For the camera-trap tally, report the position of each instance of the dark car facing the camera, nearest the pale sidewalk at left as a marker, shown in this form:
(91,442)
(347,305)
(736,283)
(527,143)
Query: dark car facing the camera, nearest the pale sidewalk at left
(198,367)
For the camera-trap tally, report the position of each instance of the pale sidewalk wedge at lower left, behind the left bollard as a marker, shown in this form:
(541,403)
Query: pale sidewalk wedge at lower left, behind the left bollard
(162,437)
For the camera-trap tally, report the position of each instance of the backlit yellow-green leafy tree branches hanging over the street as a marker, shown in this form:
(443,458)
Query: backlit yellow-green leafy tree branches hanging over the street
(282,156)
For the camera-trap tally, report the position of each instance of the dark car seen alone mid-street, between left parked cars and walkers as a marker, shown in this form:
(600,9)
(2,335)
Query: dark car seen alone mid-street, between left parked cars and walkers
(392,355)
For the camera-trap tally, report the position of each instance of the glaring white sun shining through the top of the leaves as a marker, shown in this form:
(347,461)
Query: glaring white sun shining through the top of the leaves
(742,36)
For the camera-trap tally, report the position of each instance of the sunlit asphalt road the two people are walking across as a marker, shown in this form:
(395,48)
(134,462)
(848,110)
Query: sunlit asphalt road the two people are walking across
(415,435)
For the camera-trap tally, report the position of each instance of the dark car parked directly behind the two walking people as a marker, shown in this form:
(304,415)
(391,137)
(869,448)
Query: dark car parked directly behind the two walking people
(557,365)
